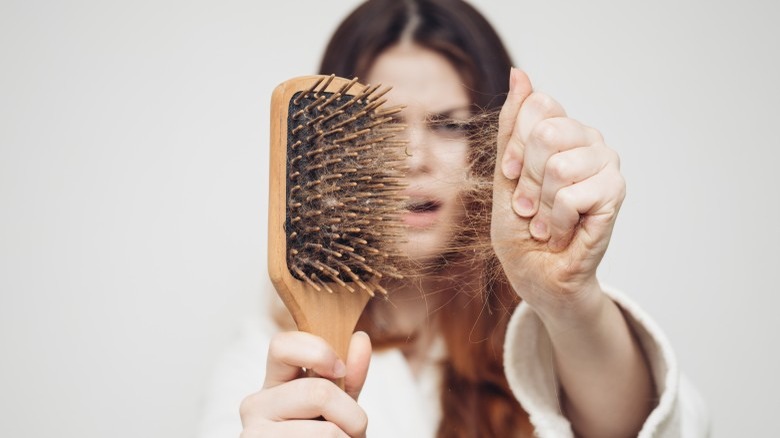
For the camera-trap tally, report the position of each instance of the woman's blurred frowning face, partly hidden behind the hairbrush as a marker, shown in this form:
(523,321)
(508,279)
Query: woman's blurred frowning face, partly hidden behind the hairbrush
(435,99)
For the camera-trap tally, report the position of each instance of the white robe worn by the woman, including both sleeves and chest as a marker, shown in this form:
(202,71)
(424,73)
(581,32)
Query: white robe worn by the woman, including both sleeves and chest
(399,404)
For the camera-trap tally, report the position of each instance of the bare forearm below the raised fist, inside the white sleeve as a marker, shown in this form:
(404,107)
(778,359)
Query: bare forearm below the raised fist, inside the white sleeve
(605,382)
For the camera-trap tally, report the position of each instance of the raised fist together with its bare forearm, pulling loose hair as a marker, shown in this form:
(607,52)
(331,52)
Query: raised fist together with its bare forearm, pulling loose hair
(557,191)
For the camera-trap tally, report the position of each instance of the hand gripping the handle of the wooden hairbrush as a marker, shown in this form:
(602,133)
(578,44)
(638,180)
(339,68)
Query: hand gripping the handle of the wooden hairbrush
(289,406)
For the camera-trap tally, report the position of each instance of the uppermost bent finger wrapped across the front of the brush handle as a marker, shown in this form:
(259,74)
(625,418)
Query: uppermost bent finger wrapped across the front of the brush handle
(291,351)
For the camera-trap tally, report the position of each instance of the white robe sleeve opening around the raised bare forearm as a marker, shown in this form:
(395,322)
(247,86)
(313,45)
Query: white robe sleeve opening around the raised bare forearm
(679,412)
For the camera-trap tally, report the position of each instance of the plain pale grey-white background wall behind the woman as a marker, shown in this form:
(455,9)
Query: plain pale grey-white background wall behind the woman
(133,145)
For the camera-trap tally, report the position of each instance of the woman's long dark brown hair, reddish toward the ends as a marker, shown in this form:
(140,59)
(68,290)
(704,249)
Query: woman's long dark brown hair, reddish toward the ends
(475,398)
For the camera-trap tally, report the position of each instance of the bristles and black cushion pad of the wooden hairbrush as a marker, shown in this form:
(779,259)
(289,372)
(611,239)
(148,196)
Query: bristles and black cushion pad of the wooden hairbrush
(345,178)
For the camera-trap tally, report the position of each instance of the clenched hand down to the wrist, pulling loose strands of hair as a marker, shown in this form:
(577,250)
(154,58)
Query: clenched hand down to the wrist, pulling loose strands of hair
(557,192)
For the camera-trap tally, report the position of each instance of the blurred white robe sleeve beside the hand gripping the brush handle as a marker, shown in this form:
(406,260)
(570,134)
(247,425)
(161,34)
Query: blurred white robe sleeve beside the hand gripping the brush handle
(239,372)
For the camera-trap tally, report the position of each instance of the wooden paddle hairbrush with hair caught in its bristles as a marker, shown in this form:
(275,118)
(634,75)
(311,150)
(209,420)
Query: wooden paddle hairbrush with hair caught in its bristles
(335,201)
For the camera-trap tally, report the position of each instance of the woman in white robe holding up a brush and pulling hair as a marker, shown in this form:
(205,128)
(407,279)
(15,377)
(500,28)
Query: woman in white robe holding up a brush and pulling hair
(517,339)
